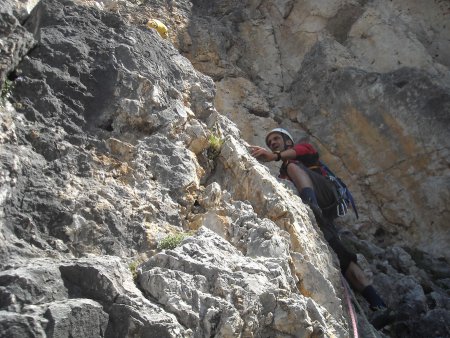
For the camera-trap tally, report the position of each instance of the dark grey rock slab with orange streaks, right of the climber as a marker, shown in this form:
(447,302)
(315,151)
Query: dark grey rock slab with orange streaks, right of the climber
(380,143)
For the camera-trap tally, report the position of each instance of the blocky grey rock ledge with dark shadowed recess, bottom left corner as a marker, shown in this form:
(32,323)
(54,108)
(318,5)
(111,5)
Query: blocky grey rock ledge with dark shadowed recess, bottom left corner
(93,297)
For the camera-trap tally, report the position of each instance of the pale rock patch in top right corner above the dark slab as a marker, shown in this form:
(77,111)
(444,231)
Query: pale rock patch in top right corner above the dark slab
(391,35)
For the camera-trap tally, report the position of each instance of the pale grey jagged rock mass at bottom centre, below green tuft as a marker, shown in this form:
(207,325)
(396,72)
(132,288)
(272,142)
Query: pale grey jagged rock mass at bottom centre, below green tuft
(216,291)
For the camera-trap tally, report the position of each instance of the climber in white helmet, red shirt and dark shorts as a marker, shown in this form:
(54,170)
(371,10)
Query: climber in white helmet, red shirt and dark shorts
(300,164)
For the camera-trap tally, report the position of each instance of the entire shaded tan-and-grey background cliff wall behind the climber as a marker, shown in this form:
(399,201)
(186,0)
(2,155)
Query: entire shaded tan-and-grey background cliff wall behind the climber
(367,81)
